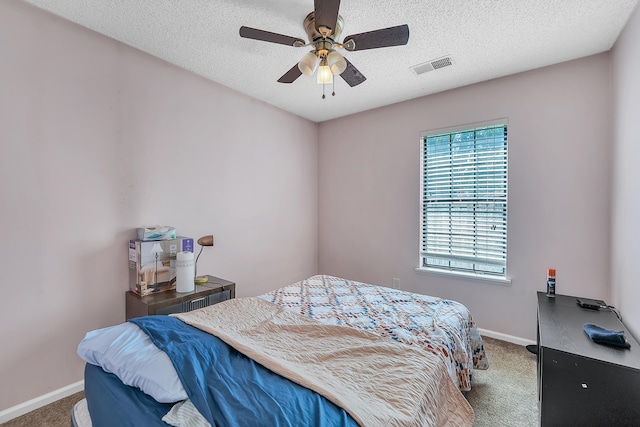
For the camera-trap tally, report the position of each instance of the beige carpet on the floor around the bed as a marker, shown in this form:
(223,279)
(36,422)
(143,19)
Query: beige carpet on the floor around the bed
(503,395)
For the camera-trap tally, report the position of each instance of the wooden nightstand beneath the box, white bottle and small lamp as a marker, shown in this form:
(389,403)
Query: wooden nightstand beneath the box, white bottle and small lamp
(214,291)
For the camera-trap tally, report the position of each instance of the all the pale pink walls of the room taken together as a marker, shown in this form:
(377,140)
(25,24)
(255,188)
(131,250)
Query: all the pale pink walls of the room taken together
(98,138)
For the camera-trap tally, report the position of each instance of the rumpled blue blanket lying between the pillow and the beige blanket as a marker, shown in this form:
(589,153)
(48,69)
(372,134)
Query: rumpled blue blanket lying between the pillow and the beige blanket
(230,389)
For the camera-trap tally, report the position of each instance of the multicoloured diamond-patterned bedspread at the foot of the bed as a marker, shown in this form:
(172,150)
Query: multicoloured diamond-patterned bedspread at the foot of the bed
(442,327)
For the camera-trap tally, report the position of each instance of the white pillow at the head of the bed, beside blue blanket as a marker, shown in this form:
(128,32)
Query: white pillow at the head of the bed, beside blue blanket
(127,352)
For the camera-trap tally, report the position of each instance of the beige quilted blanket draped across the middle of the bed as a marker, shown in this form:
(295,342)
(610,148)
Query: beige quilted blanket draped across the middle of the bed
(378,382)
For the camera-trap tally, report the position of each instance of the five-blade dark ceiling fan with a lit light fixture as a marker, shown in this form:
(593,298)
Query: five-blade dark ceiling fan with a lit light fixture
(323,27)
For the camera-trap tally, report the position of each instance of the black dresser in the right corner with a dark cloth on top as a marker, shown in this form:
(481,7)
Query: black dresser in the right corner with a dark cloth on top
(581,383)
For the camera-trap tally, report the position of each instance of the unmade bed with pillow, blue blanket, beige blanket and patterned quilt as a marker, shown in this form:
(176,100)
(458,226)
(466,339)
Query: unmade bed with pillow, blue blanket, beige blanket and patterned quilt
(323,351)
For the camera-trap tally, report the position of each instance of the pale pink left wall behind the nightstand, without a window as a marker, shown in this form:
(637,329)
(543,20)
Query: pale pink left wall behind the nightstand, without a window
(97,139)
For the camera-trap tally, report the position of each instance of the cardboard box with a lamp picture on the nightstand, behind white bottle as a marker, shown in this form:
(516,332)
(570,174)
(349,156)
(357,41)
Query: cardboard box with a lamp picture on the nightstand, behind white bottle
(143,267)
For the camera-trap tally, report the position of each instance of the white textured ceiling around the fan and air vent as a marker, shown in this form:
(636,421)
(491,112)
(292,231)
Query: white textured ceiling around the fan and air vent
(484,38)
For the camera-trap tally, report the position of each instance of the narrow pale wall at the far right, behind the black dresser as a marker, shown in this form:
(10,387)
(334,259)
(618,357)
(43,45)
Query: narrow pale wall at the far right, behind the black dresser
(625,240)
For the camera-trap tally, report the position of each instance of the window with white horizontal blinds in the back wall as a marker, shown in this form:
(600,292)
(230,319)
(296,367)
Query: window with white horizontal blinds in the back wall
(464,200)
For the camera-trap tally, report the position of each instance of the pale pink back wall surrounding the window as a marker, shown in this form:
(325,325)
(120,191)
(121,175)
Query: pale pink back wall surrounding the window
(559,185)
